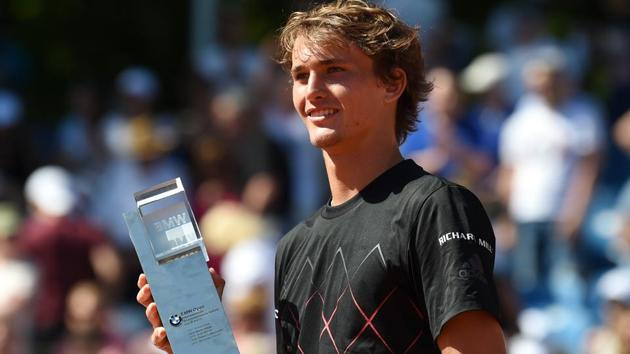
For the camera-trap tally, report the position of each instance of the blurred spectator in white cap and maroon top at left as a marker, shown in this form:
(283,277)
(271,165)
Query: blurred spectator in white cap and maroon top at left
(64,247)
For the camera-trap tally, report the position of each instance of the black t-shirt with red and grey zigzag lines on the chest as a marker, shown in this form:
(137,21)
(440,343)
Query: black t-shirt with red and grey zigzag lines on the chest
(383,272)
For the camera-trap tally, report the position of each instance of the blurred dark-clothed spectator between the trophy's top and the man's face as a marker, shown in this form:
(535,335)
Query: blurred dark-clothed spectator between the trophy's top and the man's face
(236,156)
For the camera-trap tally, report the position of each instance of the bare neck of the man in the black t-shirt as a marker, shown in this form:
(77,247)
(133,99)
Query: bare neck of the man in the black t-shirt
(348,174)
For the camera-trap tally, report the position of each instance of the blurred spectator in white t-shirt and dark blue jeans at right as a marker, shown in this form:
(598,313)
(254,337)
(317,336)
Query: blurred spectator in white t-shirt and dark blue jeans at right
(549,160)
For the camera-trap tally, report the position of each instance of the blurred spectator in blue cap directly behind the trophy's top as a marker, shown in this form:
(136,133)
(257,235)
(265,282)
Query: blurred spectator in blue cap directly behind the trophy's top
(140,143)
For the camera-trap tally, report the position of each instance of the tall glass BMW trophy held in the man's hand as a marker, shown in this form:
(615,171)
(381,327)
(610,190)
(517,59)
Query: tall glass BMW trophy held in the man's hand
(173,257)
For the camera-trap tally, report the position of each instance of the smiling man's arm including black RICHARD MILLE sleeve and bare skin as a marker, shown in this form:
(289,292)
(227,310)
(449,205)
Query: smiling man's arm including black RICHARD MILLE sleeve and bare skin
(456,273)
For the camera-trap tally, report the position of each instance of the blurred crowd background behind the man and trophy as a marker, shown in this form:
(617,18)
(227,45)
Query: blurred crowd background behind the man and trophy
(99,99)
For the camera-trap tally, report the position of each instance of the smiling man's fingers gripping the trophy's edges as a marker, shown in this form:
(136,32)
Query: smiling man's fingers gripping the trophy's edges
(144,297)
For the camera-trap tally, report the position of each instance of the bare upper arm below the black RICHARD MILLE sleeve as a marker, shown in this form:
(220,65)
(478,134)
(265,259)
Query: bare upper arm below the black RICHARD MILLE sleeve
(472,332)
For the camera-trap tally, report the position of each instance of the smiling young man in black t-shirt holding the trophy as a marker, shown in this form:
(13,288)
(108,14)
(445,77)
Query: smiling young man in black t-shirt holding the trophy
(399,261)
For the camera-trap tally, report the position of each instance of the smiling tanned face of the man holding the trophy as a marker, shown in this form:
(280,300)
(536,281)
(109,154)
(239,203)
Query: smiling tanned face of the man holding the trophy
(338,96)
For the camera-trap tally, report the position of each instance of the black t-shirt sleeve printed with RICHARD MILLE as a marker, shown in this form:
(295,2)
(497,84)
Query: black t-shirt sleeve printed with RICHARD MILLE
(455,247)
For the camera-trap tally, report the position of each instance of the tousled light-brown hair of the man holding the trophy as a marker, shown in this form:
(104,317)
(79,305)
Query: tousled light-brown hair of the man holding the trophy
(379,34)
